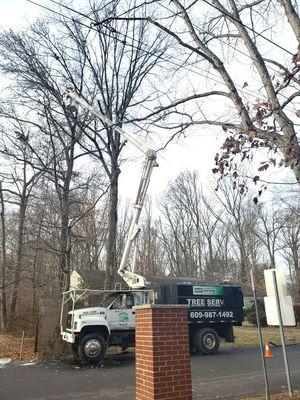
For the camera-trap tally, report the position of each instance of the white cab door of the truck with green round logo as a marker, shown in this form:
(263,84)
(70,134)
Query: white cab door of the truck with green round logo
(120,314)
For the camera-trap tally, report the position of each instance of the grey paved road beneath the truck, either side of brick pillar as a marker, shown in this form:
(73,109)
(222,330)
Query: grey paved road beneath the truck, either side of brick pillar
(229,375)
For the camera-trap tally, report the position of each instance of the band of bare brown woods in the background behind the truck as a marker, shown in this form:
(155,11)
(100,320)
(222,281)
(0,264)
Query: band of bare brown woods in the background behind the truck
(196,232)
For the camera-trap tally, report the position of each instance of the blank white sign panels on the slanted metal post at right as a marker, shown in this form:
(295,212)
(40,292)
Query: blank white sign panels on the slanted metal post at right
(286,304)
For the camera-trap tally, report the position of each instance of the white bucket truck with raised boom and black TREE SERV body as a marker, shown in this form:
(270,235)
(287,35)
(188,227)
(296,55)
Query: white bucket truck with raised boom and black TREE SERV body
(99,319)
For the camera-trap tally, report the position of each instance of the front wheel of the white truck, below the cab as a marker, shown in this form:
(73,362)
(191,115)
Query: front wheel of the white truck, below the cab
(92,348)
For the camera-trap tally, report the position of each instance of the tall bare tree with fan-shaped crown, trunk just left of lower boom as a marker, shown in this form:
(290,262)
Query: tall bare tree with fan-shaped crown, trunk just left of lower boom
(118,67)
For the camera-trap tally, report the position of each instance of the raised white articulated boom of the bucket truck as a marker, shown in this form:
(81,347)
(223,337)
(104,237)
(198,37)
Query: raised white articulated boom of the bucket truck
(72,100)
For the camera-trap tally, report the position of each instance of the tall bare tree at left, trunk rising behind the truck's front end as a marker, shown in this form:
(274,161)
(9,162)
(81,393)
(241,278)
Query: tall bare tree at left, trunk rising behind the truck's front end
(42,67)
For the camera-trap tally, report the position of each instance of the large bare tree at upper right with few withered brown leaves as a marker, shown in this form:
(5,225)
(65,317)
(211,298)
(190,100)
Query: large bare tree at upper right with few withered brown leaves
(233,31)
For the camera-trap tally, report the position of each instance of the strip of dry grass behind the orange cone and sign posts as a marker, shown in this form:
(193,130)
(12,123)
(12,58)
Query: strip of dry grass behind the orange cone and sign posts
(247,335)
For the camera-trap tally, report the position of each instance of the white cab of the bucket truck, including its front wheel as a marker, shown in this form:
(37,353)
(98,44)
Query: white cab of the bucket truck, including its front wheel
(91,330)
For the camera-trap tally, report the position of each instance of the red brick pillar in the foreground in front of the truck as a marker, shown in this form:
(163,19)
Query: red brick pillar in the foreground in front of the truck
(163,369)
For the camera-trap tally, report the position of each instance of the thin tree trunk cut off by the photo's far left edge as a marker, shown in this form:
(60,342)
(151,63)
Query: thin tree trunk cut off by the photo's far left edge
(3,306)
